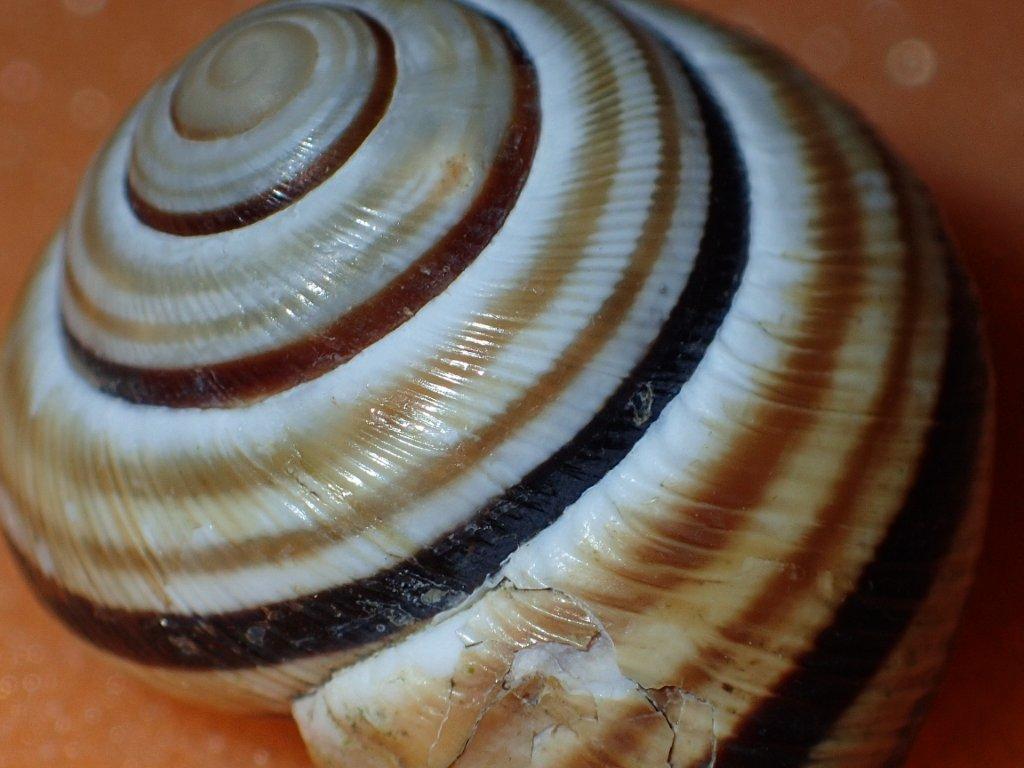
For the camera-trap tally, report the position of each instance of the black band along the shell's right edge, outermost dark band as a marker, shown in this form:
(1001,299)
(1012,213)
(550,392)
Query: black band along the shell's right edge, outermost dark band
(871,622)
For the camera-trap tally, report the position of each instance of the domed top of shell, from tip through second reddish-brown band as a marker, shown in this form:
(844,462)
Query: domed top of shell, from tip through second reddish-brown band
(383,192)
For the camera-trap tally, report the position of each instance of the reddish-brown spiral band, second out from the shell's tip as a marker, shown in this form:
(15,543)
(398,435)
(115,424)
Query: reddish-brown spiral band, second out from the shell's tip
(244,380)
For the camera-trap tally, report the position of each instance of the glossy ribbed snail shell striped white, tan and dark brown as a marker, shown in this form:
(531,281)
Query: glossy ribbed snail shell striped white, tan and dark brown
(576,381)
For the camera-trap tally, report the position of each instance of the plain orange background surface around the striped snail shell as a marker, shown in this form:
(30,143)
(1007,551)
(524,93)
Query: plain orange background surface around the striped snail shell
(943,79)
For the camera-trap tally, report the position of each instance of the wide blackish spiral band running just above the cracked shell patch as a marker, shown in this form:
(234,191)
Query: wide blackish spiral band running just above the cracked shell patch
(380,607)
